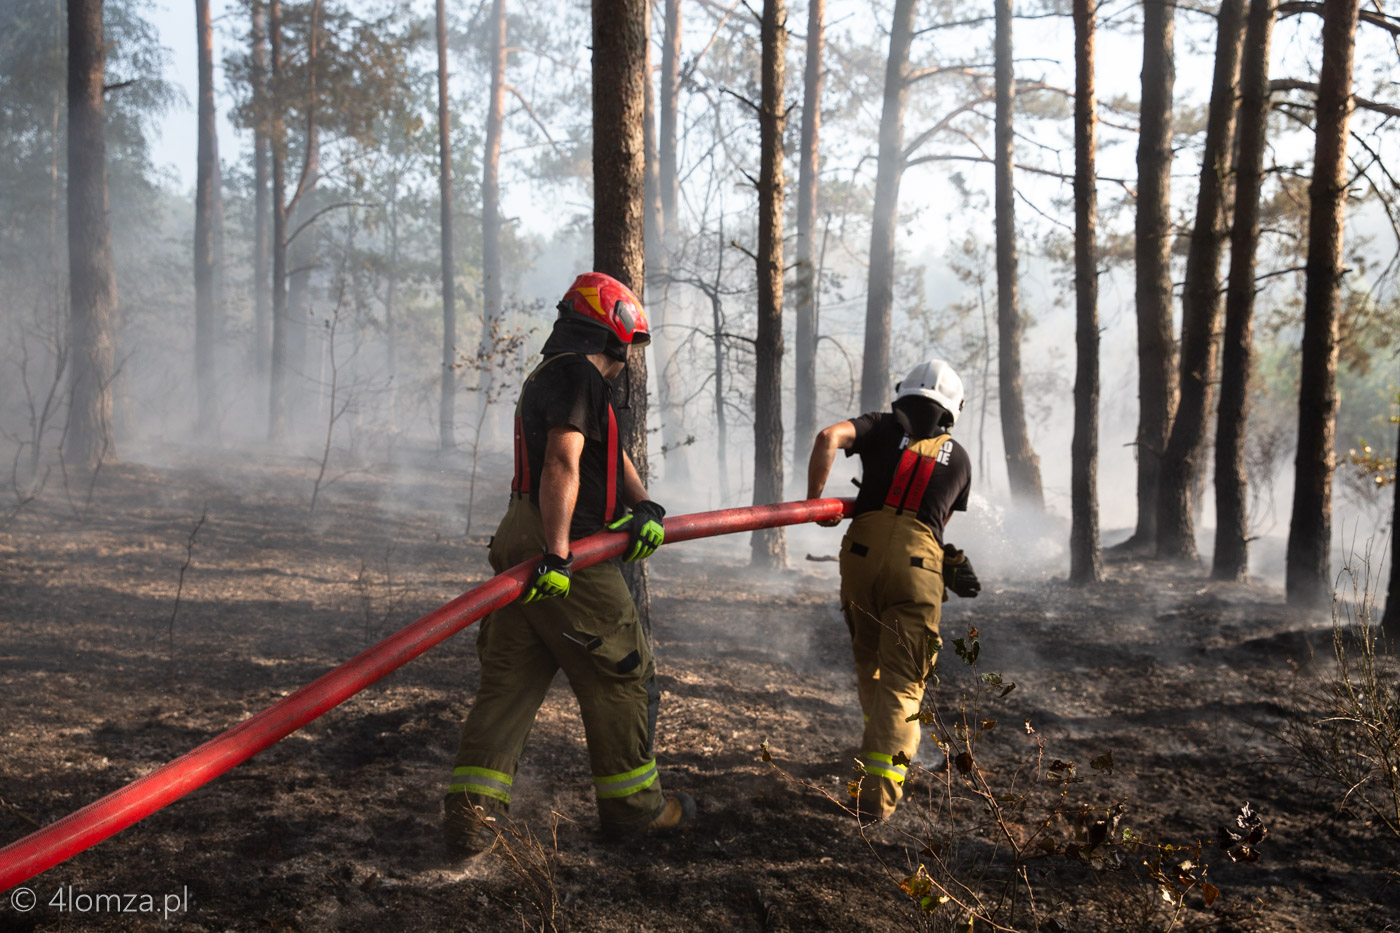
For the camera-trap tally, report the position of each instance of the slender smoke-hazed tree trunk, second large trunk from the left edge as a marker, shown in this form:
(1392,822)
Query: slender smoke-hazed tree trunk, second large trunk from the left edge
(206,198)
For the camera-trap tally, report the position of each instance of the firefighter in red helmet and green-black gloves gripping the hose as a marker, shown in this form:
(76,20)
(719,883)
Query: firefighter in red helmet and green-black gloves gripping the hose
(572,480)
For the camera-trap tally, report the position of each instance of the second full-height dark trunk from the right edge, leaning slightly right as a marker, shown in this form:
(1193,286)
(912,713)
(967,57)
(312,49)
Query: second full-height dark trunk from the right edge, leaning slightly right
(1231,561)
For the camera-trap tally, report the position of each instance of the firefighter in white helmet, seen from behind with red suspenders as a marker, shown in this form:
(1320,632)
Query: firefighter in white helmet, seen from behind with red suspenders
(895,564)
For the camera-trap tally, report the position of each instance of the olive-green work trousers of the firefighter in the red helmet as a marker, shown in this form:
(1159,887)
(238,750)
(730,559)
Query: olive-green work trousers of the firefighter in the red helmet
(596,637)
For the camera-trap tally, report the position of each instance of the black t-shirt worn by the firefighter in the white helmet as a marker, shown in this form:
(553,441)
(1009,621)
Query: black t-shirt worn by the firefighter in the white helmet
(881,441)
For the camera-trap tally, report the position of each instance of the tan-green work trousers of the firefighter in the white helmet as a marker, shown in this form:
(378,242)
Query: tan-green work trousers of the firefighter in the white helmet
(892,592)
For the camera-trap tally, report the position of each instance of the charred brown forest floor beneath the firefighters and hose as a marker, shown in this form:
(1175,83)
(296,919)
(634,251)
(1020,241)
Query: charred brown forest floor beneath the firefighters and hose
(1188,684)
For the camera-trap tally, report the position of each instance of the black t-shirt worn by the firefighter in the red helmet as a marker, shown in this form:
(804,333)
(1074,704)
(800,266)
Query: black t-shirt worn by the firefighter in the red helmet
(570,392)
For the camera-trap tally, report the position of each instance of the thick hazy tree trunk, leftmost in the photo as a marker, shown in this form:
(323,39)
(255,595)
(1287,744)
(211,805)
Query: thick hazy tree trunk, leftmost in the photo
(93,281)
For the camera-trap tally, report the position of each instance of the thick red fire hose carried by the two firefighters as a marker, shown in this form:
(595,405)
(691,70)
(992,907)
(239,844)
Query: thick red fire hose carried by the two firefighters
(101,819)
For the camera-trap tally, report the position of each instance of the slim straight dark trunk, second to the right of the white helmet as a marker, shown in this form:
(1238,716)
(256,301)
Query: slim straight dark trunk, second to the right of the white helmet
(1086,554)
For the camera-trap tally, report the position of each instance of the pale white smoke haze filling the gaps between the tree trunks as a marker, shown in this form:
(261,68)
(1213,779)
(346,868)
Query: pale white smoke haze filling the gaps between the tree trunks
(383,425)
